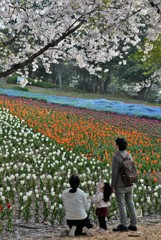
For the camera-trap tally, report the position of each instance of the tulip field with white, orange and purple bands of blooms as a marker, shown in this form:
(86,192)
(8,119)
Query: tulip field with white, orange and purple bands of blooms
(42,144)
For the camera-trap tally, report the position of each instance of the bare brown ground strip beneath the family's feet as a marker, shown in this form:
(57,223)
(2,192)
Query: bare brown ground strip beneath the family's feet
(149,228)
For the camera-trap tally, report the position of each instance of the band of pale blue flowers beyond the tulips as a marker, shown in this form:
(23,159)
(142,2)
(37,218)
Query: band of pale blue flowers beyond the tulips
(139,110)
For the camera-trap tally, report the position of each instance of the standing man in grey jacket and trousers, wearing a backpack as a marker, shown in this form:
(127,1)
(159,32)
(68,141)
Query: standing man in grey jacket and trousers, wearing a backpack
(124,193)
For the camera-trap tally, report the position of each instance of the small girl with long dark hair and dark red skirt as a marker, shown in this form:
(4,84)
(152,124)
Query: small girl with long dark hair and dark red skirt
(100,200)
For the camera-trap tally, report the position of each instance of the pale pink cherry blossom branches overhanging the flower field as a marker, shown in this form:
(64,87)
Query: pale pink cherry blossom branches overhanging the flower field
(86,31)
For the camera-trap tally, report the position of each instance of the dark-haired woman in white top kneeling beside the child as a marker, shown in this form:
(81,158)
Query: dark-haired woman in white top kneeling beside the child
(76,204)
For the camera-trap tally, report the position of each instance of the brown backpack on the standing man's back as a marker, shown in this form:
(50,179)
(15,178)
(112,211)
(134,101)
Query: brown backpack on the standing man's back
(128,171)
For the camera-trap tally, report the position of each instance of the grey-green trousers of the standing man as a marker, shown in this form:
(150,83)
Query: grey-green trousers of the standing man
(124,197)
